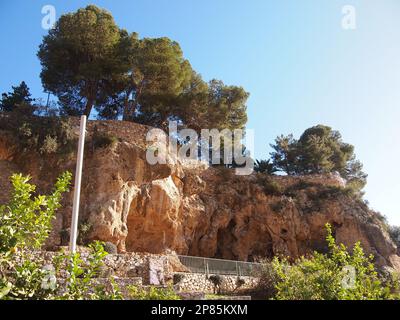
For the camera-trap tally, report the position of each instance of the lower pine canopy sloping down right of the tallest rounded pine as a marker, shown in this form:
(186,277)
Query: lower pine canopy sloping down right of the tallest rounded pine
(159,84)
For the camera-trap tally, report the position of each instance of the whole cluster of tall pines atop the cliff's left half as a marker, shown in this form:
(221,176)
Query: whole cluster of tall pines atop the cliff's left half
(88,61)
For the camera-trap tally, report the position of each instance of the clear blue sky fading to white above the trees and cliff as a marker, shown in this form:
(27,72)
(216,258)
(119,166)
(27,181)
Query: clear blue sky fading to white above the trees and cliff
(300,67)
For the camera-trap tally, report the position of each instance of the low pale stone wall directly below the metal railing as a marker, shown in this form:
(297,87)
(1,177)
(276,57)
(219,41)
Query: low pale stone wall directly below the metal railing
(198,282)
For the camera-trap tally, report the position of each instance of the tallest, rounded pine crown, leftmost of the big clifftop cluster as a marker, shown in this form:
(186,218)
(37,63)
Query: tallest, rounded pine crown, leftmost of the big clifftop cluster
(78,58)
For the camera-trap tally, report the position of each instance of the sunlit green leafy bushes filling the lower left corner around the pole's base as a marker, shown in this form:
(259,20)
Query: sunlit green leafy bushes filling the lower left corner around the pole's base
(24,226)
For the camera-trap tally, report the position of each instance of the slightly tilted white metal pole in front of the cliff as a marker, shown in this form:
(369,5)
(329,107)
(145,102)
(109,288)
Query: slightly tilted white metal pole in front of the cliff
(77,190)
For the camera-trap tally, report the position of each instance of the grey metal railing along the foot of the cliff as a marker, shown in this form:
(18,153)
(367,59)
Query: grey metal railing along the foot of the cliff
(219,266)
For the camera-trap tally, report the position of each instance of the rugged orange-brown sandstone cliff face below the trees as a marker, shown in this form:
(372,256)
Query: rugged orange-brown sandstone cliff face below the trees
(201,211)
